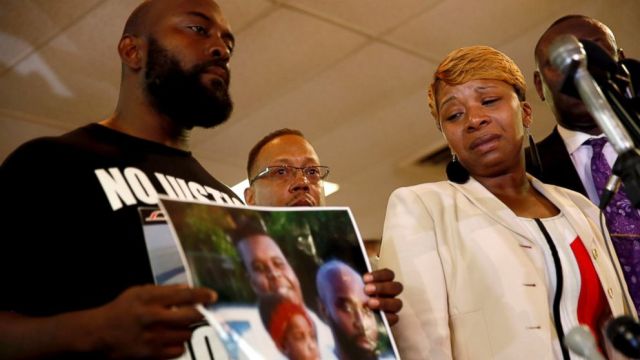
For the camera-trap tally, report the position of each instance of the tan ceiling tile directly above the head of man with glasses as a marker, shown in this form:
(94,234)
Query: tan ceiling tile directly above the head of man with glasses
(372,78)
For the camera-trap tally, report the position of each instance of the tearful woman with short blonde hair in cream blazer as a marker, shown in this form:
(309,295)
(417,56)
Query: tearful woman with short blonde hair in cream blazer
(495,264)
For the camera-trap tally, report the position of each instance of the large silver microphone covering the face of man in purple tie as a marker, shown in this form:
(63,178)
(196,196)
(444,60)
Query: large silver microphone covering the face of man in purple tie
(568,56)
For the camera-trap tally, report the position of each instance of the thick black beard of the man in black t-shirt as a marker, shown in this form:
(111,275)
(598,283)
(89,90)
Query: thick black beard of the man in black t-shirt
(180,93)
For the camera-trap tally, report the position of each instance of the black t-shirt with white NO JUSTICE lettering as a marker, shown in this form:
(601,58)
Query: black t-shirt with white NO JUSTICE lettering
(72,237)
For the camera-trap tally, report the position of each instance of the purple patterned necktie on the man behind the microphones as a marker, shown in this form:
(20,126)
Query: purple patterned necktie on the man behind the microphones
(622,218)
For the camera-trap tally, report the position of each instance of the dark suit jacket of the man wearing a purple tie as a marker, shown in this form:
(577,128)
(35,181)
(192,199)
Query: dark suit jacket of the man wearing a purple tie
(556,165)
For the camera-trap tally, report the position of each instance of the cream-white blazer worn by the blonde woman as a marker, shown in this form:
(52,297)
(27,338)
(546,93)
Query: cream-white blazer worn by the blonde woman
(461,255)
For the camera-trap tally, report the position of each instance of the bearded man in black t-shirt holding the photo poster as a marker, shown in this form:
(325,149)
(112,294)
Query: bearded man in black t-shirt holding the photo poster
(73,262)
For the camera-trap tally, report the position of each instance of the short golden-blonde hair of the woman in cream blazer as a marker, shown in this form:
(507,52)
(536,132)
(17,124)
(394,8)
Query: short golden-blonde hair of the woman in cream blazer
(475,63)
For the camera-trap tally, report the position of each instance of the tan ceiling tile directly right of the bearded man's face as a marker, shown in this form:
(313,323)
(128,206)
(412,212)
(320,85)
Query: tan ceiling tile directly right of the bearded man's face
(281,52)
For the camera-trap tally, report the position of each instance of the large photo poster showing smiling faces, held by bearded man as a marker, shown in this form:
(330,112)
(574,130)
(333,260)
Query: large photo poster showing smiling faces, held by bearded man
(264,263)
